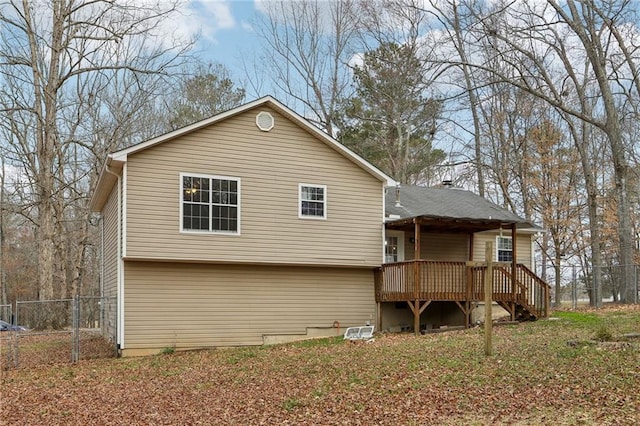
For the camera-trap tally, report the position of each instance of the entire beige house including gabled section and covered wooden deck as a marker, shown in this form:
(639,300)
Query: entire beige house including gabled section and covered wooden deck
(255,227)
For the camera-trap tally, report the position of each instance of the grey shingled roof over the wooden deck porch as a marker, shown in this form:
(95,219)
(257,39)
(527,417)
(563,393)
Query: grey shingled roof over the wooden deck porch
(450,208)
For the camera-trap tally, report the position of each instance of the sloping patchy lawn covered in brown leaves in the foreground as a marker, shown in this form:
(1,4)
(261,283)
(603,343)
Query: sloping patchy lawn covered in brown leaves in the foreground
(545,372)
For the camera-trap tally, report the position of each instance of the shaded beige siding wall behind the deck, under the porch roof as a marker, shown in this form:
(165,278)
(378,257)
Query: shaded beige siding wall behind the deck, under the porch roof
(436,246)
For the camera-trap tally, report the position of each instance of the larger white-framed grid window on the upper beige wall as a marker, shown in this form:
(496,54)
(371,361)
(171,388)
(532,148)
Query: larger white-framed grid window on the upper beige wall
(210,203)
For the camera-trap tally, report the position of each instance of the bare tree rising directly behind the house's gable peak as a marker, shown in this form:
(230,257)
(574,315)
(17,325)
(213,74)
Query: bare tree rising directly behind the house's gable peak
(307,46)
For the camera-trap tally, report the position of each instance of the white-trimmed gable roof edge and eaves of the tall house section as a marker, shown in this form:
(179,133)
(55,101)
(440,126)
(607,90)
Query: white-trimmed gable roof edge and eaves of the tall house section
(115,160)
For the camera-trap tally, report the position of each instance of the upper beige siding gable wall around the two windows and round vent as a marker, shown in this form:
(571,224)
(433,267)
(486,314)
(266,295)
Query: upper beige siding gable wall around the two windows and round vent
(270,166)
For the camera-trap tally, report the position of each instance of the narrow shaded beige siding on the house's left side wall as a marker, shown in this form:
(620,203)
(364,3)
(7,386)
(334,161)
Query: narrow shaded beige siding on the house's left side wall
(110,256)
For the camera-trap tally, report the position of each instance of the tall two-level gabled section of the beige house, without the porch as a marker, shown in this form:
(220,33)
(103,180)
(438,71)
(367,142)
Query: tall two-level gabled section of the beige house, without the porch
(247,228)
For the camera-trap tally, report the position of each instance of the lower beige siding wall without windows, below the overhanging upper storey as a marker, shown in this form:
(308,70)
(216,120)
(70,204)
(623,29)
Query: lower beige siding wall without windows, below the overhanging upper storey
(199,305)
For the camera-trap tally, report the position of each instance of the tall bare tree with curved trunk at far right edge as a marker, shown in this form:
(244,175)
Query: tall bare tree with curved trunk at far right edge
(550,50)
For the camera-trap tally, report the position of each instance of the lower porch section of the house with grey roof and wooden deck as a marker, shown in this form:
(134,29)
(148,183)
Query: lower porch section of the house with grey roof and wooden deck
(434,260)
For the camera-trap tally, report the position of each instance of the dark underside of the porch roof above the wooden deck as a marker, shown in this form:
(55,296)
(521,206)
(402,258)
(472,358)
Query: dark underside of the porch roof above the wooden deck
(451,225)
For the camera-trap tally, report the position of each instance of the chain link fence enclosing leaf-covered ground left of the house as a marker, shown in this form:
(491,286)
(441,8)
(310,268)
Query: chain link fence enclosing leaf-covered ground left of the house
(59,331)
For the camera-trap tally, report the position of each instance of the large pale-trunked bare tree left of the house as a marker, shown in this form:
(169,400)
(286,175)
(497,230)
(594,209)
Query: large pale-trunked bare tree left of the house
(57,60)
